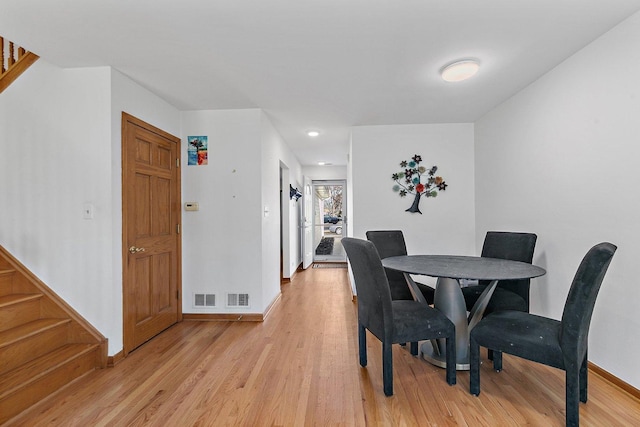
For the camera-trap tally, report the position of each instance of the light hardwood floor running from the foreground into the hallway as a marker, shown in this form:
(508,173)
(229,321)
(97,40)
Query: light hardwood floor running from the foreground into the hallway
(300,367)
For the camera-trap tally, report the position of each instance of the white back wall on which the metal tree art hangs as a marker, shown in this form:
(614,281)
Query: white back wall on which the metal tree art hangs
(447,221)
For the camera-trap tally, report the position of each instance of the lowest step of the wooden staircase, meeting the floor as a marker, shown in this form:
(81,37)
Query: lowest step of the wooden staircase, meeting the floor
(40,377)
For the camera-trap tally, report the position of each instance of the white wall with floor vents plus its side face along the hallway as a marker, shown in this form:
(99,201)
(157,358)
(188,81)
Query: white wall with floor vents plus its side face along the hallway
(230,245)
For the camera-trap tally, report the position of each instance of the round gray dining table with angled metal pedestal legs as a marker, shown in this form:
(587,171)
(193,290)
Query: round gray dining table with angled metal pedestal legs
(450,270)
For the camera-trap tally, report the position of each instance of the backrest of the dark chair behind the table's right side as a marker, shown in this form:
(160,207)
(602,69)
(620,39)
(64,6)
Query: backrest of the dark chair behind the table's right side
(514,247)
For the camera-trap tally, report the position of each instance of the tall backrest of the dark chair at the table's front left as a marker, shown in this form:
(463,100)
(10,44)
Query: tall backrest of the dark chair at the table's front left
(374,296)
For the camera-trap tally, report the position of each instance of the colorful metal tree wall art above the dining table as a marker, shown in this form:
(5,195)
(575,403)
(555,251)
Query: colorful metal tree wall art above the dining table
(418,181)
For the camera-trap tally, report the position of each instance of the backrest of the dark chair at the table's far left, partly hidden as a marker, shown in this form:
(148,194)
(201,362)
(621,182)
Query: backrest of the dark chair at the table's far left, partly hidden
(391,243)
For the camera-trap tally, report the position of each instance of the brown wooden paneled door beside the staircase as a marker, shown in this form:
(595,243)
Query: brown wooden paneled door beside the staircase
(151,234)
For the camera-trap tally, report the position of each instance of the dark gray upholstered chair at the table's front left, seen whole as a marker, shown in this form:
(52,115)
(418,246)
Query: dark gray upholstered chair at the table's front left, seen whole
(391,321)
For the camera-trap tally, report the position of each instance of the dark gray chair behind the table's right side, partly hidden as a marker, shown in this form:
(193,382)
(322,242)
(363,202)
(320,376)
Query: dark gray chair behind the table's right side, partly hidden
(509,294)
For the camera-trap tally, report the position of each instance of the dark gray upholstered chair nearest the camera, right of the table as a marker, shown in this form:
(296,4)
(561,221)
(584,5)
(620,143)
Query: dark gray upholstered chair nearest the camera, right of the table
(560,344)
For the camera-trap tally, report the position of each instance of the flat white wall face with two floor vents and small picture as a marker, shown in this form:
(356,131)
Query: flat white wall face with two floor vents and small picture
(221,243)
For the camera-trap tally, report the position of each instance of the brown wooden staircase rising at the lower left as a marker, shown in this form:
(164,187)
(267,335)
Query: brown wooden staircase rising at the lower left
(44,343)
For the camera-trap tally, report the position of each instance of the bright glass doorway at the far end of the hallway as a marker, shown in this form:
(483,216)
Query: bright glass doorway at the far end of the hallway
(329,220)
